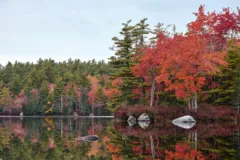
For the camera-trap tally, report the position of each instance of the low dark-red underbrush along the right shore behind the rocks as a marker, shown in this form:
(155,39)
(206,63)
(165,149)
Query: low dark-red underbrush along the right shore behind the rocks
(158,113)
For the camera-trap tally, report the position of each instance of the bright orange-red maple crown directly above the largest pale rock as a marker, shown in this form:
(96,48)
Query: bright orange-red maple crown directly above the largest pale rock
(186,64)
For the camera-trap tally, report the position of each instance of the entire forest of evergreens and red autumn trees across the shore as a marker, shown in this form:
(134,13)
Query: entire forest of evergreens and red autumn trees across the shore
(151,66)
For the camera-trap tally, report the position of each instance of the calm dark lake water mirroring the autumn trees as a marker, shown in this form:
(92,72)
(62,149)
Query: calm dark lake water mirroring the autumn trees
(55,139)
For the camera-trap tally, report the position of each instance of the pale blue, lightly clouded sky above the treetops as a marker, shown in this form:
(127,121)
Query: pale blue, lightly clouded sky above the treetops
(83,29)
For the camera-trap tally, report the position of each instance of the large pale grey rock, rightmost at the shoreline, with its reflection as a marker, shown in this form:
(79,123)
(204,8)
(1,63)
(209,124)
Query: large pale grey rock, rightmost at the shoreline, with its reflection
(185,122)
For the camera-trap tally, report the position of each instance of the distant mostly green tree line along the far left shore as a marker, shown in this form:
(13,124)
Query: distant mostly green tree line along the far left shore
(48,87)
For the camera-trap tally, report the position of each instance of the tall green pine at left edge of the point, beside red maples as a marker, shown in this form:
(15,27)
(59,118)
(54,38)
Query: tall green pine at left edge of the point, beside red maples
(122,62)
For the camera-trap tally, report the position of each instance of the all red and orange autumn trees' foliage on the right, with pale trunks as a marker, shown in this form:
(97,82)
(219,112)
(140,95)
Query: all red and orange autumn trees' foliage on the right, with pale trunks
(182,61)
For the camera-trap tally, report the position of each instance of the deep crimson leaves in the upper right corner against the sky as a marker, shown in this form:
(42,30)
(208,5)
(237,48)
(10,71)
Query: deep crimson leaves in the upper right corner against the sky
(216,28)
